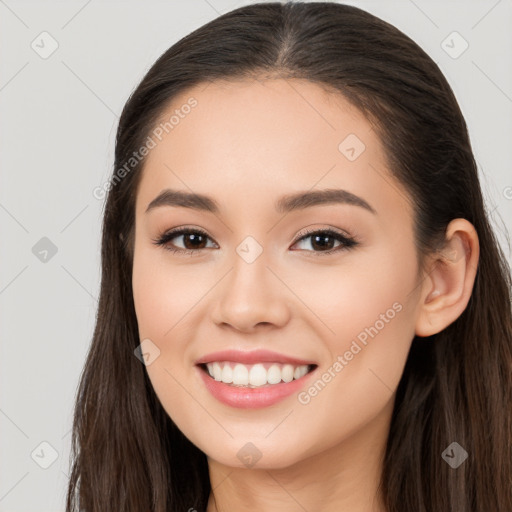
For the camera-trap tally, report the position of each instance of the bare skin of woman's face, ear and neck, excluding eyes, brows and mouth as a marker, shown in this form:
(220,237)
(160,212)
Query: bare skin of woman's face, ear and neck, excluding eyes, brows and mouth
(246,144)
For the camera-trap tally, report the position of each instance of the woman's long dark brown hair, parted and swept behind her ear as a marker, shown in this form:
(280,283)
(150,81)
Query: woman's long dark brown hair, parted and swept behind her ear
(127,453)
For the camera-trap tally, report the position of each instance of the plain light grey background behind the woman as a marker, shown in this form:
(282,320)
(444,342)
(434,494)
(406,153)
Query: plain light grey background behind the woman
(58,121)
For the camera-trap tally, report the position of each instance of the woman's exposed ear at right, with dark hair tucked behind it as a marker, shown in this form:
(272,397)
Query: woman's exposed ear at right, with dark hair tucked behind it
(448,285)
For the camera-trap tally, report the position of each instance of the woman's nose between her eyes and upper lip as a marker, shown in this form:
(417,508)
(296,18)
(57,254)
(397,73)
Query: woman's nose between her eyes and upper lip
(251,297)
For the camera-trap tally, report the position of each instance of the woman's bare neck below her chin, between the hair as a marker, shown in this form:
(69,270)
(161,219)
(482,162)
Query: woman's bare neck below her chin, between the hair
(344,478)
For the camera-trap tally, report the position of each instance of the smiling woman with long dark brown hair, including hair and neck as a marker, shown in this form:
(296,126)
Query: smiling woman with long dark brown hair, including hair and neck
(303,305)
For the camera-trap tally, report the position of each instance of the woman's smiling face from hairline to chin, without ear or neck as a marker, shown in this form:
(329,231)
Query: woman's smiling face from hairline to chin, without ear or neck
(326,287)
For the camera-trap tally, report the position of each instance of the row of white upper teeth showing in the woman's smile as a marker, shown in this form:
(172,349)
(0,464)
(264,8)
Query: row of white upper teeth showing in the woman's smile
(251,376)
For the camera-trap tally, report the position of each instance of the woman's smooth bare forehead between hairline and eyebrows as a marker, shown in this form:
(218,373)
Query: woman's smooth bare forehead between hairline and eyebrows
(258,139)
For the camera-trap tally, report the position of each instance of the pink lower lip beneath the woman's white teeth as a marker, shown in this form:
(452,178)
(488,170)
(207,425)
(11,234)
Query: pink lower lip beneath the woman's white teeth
(252,398)
